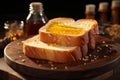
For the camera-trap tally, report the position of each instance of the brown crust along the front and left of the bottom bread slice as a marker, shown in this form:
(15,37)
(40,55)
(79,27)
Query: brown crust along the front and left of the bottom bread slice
(50,54)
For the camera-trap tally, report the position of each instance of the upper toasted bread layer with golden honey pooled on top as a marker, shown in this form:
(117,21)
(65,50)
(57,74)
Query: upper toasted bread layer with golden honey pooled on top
(67,31)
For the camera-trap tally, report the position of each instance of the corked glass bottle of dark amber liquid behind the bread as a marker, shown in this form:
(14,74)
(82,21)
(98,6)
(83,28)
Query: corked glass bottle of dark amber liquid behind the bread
(35,19)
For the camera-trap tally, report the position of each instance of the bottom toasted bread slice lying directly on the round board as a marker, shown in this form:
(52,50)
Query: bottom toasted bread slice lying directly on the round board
(34,48)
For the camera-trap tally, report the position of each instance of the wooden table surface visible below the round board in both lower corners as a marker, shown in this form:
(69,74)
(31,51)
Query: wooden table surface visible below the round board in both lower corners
(7,73)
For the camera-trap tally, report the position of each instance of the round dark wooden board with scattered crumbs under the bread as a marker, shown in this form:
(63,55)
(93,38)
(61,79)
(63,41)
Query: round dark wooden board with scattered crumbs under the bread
(105,57)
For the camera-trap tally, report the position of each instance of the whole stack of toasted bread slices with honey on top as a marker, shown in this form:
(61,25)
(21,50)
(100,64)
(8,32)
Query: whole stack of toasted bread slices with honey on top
(62,40)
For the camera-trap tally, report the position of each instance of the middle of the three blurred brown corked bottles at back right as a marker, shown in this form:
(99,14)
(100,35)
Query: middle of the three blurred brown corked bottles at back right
(103,17)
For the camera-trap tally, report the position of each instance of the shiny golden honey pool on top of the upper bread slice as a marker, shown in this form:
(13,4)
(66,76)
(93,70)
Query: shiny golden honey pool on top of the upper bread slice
(60,28)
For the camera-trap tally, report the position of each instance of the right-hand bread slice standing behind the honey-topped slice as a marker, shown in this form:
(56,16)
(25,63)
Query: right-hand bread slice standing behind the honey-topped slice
(92,32)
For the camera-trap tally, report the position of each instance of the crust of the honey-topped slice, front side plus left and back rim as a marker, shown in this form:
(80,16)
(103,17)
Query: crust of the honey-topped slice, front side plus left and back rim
(61,39)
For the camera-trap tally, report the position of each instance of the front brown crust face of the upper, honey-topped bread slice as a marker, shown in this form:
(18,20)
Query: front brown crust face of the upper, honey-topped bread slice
(65,40)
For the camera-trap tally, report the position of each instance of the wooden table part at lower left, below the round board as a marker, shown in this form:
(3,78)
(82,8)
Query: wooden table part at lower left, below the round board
(9,73)
